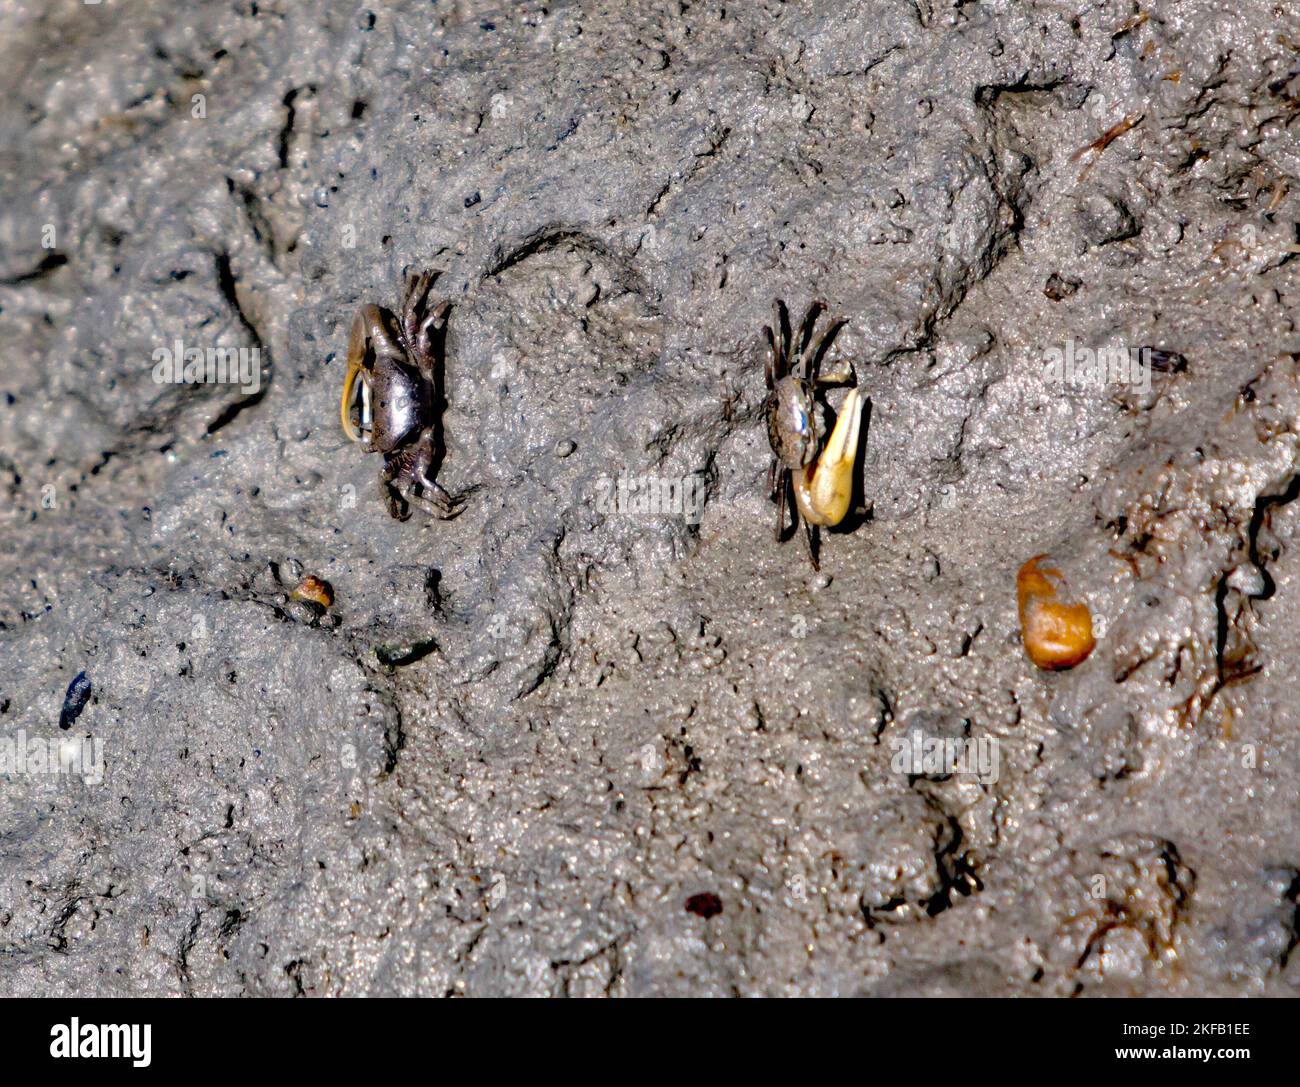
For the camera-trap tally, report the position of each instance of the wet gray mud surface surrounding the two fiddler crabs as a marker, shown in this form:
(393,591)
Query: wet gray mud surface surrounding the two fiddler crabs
(521,740)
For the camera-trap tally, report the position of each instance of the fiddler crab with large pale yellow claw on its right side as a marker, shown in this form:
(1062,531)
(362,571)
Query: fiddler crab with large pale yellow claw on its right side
(820,477)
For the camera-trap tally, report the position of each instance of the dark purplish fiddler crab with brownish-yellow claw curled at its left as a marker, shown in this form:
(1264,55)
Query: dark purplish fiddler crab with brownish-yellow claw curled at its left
(396,363)
